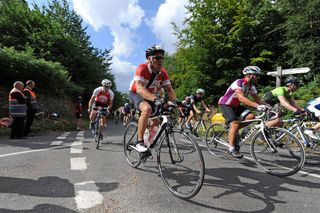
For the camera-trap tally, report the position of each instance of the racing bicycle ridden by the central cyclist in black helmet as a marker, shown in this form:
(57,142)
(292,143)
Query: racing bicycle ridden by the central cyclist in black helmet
(179,158)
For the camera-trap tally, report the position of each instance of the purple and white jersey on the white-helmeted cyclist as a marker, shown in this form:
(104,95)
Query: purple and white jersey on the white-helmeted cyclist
(230,98)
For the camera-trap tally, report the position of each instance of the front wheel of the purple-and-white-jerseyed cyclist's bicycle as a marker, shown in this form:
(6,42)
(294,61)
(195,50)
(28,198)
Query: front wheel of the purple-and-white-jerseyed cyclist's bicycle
(289,157)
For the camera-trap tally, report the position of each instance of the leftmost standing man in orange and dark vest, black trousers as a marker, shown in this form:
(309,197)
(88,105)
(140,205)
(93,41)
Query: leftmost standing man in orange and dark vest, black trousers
(17,110)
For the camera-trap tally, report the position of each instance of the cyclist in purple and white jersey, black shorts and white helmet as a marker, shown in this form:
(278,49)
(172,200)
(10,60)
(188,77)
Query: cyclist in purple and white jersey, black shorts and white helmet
(238,93)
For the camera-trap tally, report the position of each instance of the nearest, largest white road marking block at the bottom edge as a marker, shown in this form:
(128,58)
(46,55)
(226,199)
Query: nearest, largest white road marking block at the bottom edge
(87,195)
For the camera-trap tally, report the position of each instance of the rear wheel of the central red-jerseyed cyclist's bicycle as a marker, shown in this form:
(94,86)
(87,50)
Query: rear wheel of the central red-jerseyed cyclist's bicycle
(130,137)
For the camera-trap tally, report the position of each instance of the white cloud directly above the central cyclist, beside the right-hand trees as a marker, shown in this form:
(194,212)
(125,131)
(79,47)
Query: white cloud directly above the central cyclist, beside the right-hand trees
(168,12)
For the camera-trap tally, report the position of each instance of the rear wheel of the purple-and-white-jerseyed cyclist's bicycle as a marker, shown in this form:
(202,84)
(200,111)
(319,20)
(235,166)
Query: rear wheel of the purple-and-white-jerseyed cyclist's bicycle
(215,135)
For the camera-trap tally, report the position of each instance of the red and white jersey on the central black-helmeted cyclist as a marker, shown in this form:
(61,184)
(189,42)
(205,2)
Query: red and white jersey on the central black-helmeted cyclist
(143,73)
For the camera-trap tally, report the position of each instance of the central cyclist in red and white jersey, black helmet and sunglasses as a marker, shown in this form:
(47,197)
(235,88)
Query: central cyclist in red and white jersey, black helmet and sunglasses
(143,88)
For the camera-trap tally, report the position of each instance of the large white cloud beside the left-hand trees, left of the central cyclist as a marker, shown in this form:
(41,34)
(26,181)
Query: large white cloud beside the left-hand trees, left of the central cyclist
(122,17)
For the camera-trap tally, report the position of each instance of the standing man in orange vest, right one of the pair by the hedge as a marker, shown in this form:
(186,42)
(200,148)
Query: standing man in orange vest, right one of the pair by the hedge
(32,105)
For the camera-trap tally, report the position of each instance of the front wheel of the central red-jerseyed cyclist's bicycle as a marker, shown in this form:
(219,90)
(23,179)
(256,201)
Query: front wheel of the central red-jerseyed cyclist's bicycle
(181,164)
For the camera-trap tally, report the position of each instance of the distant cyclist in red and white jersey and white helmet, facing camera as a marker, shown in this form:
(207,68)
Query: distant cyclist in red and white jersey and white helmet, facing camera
(101,97)
